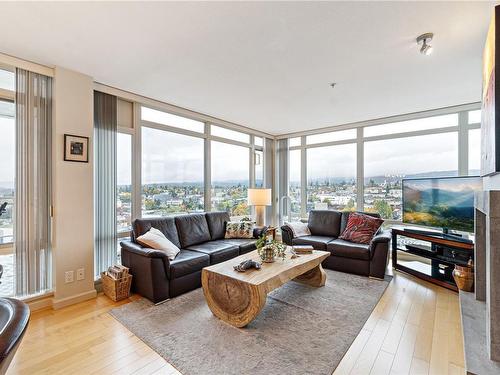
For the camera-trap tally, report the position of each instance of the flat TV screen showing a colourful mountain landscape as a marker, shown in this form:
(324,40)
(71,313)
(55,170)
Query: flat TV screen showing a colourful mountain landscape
(441,202)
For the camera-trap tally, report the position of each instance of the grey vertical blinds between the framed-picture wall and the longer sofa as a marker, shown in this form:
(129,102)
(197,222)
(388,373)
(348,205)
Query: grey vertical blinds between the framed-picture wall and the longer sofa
(105,125)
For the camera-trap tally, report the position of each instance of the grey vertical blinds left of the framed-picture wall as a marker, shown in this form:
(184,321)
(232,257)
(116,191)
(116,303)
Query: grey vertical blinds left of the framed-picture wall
(33,183)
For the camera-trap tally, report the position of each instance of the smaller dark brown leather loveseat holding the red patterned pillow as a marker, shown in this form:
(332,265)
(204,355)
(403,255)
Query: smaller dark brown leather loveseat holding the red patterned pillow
(325,227)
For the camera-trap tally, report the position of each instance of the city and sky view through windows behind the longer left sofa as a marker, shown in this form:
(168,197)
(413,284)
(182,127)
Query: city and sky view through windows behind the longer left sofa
(173,175)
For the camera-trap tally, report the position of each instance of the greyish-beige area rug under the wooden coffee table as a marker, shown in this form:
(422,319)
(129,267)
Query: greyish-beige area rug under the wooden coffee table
(301,330)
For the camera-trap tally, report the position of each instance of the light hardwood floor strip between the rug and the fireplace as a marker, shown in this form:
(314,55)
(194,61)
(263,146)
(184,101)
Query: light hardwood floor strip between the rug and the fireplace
(414,329)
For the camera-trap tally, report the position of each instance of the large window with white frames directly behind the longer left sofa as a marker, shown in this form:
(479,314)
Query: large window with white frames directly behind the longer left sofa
(189,165)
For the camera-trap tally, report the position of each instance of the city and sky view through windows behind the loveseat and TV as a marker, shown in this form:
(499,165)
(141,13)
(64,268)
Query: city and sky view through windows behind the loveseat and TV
(331,170)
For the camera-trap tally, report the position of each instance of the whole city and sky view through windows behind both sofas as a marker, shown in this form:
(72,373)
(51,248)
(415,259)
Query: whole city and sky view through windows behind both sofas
(173,170)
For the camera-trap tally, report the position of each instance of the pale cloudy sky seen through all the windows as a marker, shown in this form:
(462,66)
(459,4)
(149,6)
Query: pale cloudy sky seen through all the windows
(170,157)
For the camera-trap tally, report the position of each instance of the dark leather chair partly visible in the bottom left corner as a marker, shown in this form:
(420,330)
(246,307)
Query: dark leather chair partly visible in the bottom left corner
(14,318)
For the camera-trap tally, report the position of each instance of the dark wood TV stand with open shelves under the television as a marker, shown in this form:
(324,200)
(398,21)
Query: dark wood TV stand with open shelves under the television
(441,254)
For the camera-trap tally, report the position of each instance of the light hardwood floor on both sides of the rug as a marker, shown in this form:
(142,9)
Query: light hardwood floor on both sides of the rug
(414,329)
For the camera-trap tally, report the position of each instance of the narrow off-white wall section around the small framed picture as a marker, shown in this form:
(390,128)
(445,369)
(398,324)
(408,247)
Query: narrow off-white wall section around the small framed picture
(73,231)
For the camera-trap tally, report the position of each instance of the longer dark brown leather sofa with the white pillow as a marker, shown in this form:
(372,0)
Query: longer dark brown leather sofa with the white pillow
(201,240)
